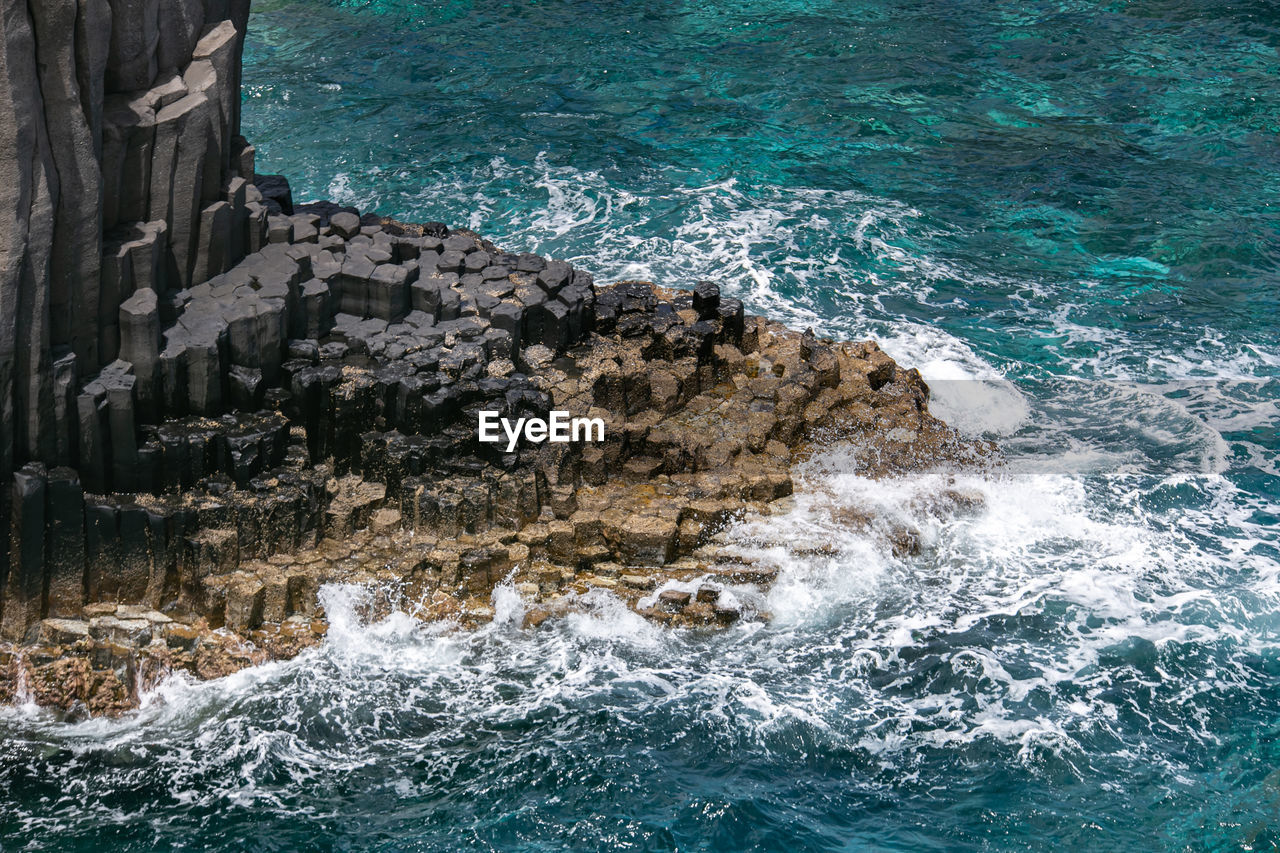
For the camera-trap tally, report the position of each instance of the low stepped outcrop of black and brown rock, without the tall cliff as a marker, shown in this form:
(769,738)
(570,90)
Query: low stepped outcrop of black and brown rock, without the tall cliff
(281,464)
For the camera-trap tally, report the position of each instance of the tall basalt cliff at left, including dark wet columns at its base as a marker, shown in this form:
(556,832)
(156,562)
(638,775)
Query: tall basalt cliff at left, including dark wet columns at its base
(124,179)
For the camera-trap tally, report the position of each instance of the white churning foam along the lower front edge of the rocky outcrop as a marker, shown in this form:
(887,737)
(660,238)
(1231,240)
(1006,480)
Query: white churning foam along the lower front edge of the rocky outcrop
(1109,585)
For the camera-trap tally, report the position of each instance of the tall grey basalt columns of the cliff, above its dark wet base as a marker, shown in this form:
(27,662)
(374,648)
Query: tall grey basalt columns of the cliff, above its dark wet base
(124,171)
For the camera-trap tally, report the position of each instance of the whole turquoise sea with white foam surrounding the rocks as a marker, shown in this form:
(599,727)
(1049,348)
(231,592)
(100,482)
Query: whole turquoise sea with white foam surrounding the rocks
(1068,215)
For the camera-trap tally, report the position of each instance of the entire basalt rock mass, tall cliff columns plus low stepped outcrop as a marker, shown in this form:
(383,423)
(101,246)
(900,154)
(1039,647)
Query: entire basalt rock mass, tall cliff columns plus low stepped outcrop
(216,400)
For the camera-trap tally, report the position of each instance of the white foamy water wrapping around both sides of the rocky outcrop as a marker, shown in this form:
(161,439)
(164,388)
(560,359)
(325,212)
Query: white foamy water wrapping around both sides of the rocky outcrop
(1116,580)
